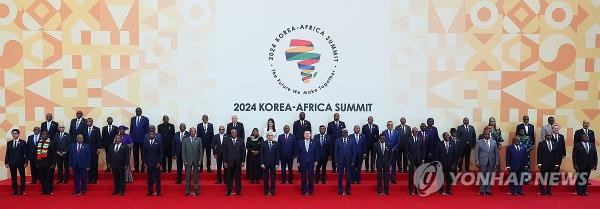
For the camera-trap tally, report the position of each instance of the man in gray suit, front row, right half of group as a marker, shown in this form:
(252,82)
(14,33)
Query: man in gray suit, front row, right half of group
(486,159)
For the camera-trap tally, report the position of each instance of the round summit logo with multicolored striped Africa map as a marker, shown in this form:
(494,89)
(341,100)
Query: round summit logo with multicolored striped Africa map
(303,59)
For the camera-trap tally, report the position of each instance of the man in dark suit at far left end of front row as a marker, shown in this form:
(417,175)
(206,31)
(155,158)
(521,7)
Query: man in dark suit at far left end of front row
(15,160)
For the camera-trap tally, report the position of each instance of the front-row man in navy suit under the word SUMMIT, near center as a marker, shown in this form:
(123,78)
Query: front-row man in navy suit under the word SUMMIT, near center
(307,156)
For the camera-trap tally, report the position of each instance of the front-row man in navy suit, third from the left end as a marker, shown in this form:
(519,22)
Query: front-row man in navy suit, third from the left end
(80,163)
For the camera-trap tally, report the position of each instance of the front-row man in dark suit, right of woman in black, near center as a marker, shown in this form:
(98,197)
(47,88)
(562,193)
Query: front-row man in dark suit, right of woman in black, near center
(269,161)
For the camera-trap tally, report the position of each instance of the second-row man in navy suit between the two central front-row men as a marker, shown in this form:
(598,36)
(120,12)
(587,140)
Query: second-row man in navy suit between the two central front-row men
(287,143)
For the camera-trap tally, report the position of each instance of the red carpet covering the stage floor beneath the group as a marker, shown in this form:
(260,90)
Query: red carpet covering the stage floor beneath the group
(288,196)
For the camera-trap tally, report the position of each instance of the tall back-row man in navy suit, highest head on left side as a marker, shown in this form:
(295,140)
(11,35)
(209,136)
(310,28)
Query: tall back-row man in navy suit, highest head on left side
(140,126)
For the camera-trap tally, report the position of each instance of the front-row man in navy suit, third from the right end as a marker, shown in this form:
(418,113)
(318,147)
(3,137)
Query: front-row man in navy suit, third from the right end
(516,162)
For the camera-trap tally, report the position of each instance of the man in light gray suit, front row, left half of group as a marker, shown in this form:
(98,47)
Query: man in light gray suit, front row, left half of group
(191,152)
